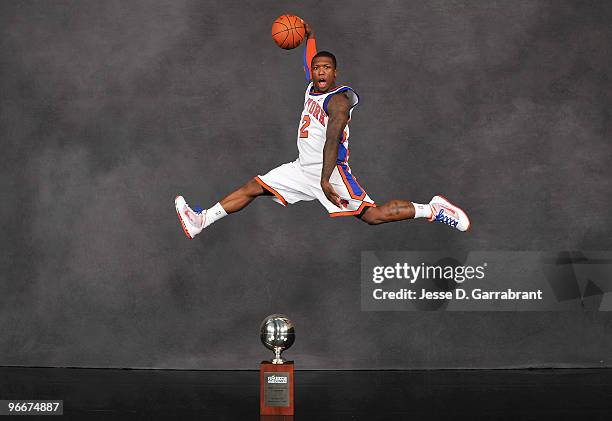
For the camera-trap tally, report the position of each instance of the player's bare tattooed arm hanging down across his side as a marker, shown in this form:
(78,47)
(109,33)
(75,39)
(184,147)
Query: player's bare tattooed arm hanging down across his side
(338,110)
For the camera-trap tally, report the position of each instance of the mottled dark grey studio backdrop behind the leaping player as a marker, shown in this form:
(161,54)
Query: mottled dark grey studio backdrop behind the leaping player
(108,109)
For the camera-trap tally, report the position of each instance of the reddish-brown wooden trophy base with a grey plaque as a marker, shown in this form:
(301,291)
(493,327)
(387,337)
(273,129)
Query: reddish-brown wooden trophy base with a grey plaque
(276,388)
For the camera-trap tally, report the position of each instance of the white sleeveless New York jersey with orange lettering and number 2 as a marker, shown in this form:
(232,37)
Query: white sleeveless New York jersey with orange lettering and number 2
(313,127)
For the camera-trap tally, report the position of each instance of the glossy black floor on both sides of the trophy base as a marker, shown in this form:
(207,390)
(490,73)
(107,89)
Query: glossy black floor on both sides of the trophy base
(108,394)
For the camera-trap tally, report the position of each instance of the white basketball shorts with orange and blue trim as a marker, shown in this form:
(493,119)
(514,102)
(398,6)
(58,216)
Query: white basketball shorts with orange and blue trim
(291,183)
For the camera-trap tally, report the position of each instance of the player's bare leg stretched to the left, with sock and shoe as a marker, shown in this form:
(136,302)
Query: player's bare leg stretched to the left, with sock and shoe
(194,221)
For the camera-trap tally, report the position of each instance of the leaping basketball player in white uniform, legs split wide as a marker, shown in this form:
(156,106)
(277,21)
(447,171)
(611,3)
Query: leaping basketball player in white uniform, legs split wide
(321,170)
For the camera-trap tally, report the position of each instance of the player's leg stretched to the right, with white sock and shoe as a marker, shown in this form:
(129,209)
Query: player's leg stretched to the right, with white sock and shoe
(439,209)
